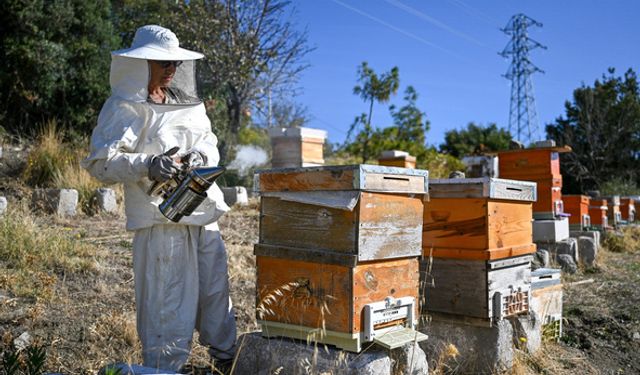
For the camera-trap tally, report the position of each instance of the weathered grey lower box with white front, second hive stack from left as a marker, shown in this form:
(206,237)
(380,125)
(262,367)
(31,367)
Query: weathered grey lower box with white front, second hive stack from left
(482,291)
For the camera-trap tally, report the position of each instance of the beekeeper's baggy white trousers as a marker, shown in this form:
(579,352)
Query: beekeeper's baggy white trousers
(182,284)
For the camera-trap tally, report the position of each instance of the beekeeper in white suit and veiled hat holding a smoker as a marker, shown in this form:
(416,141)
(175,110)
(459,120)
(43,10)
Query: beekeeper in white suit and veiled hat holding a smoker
(180,269)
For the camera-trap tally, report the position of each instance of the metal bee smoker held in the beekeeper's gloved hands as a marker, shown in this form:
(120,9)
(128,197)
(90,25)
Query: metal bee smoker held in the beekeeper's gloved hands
(184,193)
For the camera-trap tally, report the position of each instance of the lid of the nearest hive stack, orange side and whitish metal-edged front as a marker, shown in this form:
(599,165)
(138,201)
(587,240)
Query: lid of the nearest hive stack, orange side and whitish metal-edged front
(364,177)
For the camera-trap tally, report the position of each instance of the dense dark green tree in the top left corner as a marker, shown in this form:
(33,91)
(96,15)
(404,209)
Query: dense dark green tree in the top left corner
(46,73)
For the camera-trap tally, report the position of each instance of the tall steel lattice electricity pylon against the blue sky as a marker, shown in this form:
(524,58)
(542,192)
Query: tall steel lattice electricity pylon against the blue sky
(522,111)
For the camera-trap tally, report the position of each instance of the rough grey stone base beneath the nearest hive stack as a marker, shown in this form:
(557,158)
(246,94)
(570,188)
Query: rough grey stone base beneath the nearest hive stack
(260,355)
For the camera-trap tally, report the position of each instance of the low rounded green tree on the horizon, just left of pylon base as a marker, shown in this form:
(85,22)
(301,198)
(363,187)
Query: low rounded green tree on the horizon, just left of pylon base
(475,139)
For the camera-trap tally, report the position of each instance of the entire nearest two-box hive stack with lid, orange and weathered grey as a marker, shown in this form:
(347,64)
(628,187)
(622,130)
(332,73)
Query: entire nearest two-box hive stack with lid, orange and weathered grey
(337,258)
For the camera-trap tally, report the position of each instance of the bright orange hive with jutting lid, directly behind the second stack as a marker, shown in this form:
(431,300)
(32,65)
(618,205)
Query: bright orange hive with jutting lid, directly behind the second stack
(542,166)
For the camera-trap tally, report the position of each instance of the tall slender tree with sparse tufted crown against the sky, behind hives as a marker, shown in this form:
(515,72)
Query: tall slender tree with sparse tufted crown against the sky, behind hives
(372,88)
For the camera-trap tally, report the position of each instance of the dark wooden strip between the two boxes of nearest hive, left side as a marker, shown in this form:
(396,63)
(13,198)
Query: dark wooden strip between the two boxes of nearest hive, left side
(307,255)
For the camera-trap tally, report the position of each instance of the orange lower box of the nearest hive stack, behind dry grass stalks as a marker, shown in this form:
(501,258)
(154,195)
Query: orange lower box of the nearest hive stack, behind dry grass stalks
(298,298)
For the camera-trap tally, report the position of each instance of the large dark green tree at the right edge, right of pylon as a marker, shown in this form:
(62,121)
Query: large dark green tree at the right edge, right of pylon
(602,126)
